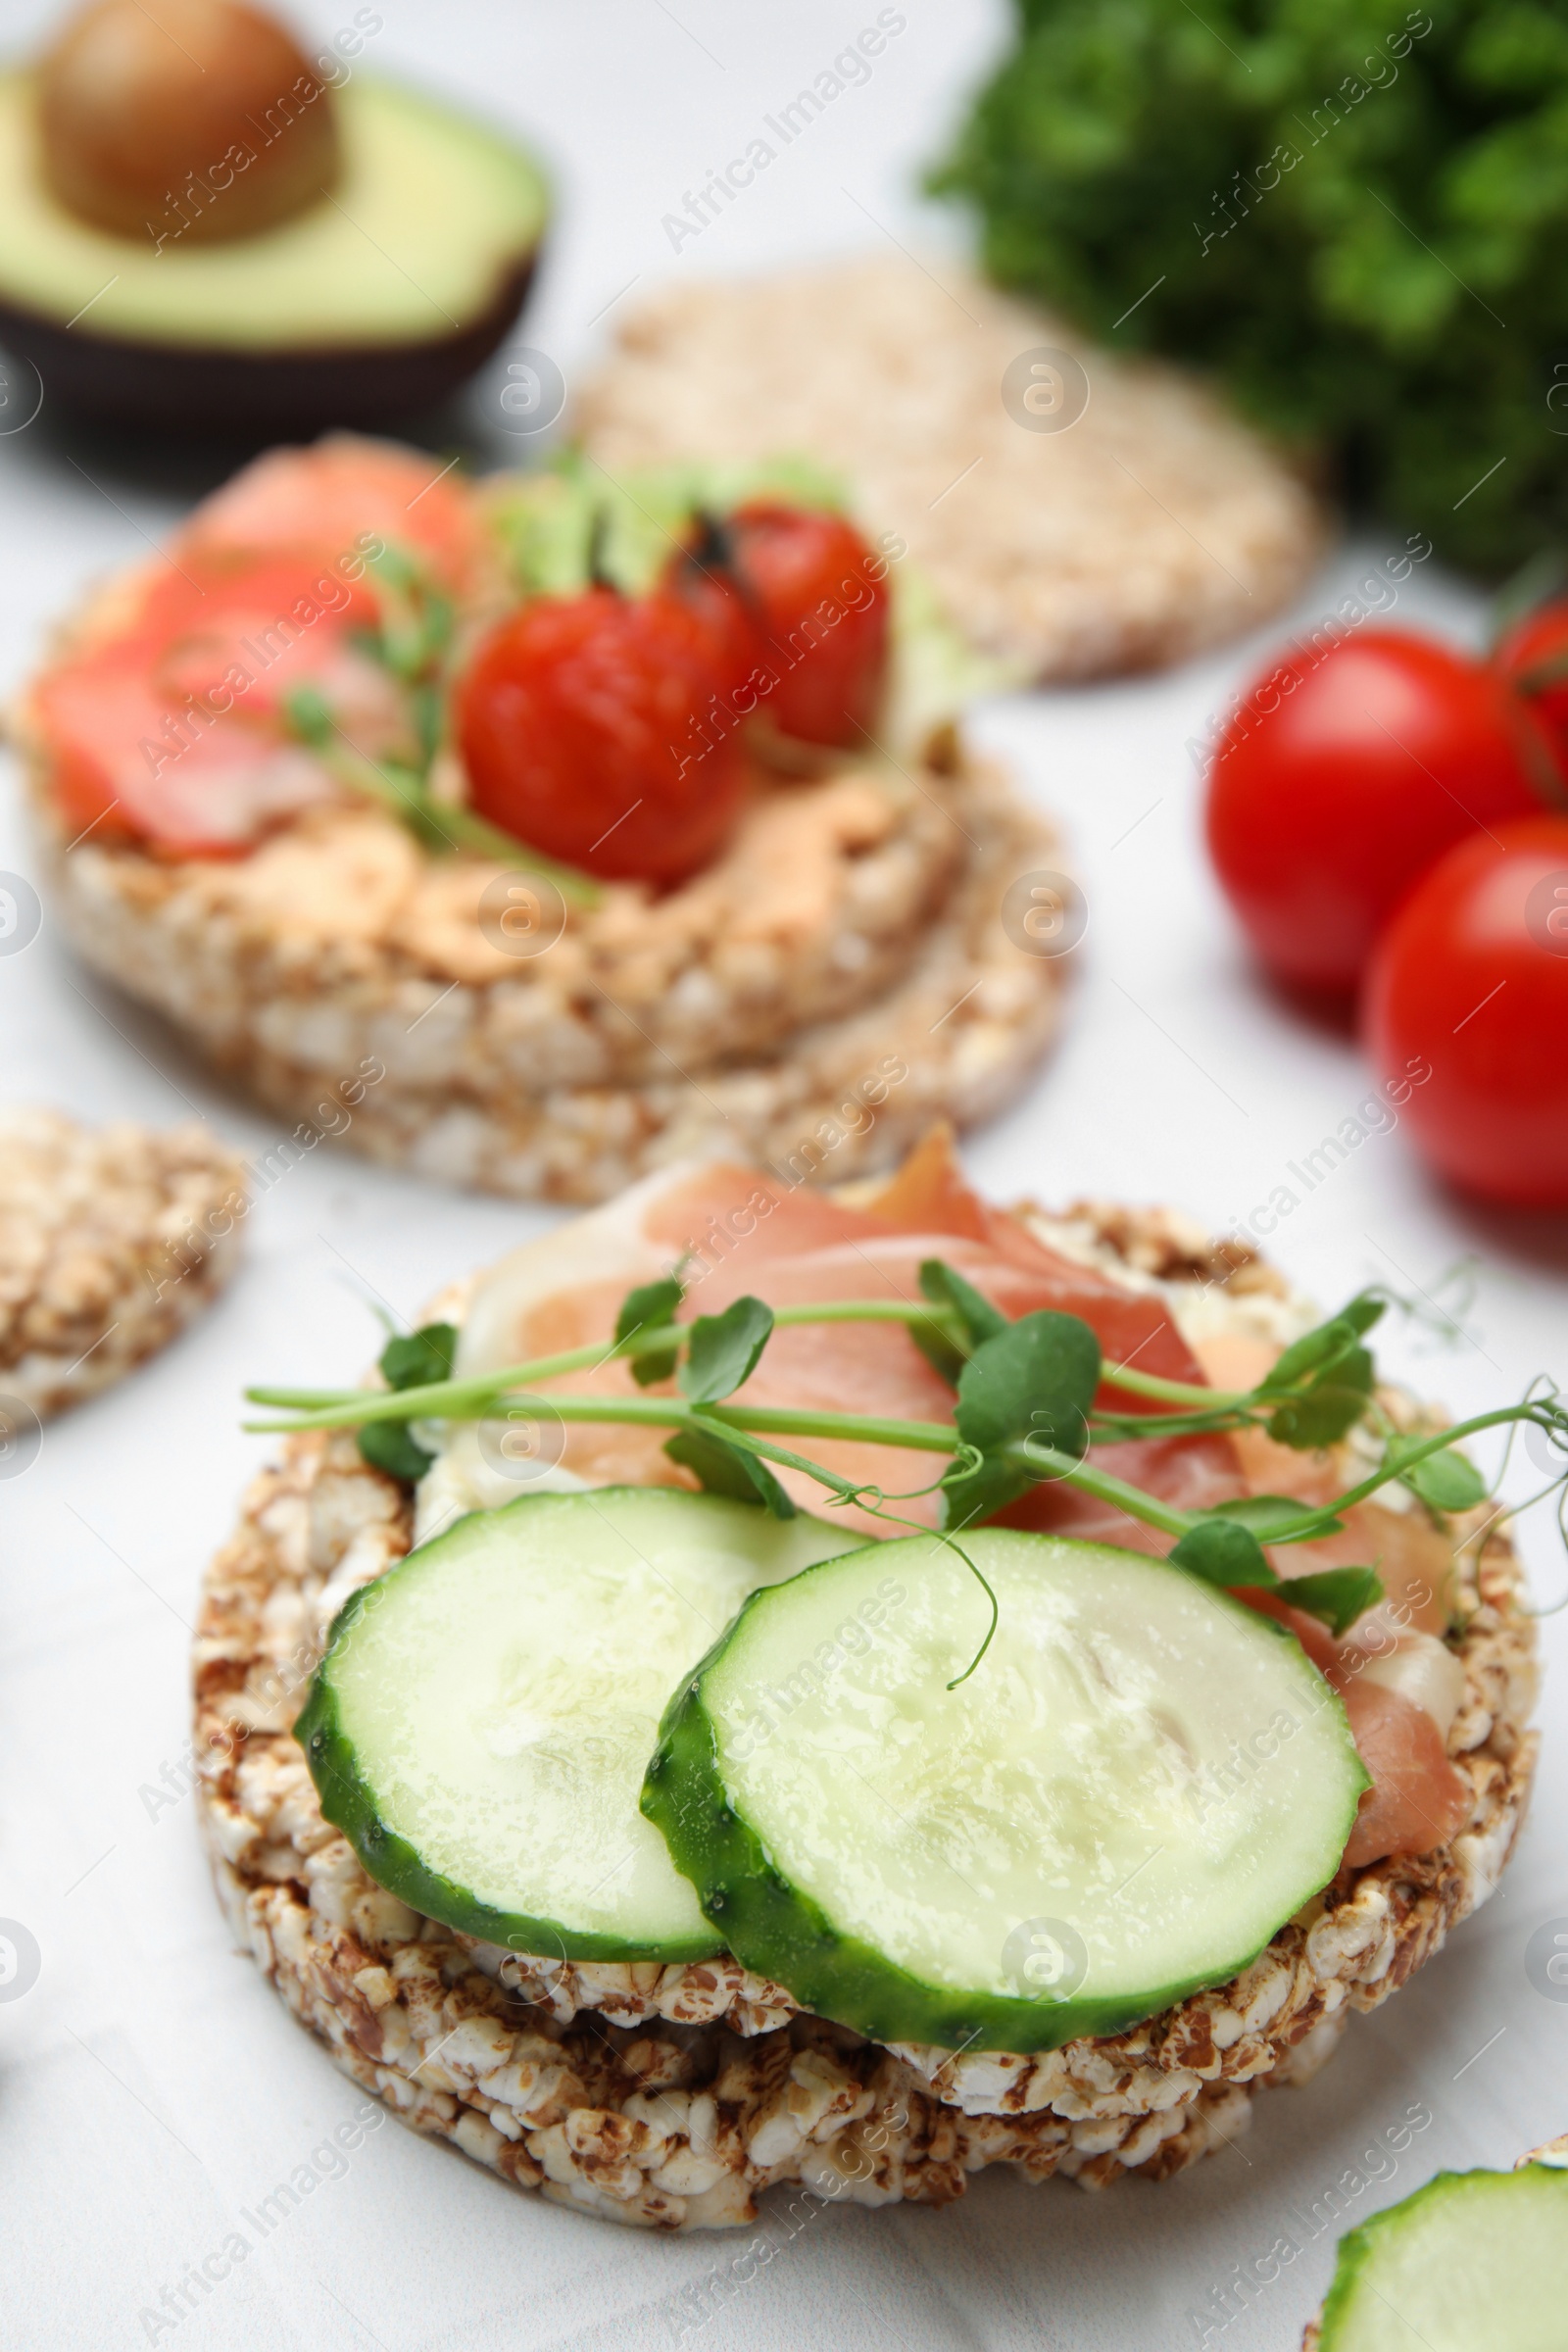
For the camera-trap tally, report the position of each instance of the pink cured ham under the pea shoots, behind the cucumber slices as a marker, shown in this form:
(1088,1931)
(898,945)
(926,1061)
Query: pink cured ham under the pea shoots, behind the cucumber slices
(739,1231)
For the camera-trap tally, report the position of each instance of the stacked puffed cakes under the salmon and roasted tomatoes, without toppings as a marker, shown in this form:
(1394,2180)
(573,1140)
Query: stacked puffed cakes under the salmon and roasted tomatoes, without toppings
(852,926)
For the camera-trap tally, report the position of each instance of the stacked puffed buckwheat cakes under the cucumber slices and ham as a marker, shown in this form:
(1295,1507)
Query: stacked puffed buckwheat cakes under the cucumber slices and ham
(674,2094)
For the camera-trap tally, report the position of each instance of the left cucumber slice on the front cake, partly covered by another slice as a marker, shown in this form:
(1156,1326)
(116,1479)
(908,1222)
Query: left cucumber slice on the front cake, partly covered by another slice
(485,1711)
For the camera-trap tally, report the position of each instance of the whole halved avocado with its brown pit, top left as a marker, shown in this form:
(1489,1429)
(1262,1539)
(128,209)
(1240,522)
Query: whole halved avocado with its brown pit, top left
(213,232)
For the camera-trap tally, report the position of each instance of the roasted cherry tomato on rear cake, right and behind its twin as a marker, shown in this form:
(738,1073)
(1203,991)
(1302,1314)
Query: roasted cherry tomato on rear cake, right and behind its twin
(822,617)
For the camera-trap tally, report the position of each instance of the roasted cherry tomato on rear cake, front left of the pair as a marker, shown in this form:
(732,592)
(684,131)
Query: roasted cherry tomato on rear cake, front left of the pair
(589,730)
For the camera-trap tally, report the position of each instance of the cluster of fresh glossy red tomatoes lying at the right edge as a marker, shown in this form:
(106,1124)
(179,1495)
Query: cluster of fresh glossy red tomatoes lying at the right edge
(1391,822)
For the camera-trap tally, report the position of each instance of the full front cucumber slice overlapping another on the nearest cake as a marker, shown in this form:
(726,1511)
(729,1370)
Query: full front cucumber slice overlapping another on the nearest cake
(1130,1796)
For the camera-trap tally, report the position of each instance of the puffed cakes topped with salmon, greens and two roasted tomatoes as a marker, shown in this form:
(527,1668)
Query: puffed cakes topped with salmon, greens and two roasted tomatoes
(377,775)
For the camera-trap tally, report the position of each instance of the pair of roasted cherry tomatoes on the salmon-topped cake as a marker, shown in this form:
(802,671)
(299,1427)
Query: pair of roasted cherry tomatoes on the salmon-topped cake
(605,730)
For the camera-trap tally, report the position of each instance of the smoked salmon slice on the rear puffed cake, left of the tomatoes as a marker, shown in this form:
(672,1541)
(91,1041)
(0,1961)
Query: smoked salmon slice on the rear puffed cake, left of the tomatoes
(173,723)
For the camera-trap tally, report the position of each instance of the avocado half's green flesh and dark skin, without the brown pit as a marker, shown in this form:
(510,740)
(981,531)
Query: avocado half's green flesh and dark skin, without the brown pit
(368,307)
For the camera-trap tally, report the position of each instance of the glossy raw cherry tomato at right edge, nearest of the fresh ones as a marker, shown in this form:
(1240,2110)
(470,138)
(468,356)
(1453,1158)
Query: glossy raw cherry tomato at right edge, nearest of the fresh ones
(1470,982)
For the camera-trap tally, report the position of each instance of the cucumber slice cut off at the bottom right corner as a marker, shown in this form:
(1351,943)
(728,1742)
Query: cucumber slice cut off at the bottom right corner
(1473,2259)
